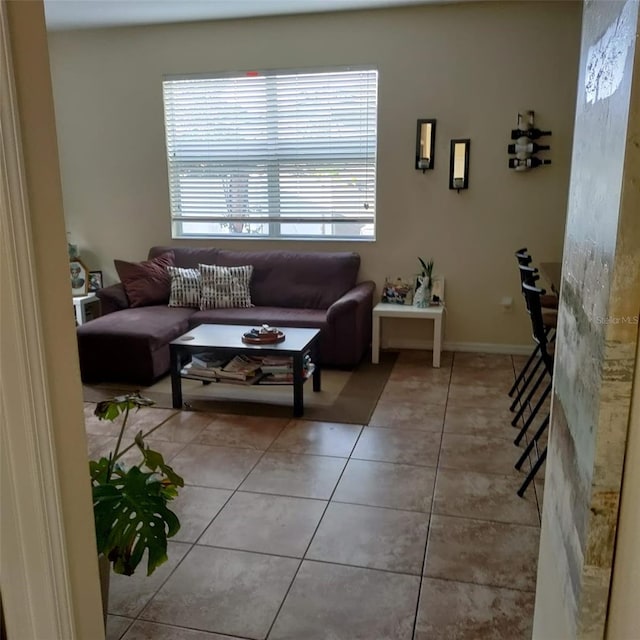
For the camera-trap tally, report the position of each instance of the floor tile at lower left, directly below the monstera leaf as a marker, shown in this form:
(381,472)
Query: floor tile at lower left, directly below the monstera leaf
(129,594)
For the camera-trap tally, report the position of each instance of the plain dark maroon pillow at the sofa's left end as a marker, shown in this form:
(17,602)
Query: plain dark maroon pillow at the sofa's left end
(147,282)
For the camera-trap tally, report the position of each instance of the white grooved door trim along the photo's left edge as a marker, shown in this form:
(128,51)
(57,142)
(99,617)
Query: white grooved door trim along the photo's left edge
(33,555)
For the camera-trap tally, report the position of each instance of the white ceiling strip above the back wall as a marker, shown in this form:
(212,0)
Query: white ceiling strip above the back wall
(85,14)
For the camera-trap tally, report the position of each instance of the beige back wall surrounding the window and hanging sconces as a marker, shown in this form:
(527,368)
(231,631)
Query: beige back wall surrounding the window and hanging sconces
(471,66)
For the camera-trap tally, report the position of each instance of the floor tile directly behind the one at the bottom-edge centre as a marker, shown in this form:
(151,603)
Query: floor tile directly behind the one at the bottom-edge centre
(371,537)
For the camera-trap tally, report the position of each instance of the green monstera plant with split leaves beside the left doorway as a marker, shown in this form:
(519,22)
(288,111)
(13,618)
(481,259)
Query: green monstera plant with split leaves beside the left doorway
(130,501)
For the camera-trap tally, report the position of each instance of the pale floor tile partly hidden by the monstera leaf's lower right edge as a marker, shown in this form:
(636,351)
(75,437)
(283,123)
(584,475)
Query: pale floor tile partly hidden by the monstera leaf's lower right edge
(196,507)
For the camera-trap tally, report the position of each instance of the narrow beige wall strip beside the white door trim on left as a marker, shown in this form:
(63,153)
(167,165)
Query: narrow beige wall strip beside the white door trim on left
(59,350)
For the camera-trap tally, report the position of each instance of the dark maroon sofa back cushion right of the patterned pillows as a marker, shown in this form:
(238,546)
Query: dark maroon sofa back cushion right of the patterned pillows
(313,280)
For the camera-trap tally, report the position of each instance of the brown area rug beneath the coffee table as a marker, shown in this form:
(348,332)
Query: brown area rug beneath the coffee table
(346,396)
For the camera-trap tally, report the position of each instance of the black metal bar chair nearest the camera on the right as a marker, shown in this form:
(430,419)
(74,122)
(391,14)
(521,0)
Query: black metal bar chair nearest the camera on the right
(533,297)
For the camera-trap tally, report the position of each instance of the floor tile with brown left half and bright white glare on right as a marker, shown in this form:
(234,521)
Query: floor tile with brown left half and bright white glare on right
(319,438)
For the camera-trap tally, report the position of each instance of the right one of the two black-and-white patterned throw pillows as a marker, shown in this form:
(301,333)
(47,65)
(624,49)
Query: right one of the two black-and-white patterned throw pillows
(225,287)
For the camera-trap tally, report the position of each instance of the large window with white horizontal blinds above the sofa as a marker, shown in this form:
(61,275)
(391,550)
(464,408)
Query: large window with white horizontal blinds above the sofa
(273,154)
